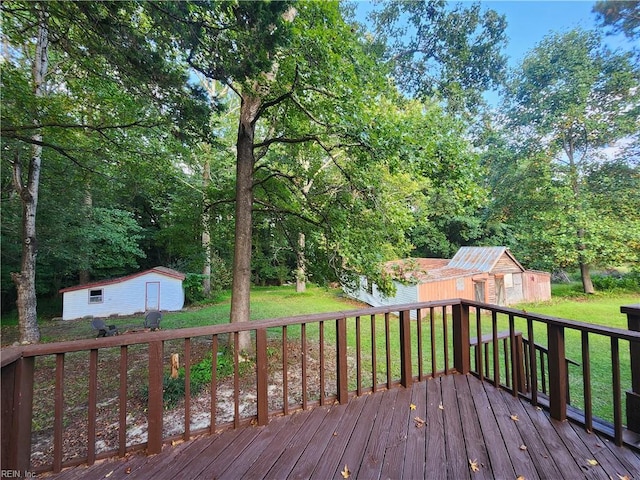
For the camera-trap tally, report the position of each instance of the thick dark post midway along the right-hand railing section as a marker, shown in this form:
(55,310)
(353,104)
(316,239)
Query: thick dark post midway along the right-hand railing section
(558,382)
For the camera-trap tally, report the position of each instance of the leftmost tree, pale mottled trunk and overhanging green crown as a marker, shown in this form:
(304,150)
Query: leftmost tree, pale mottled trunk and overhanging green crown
(88,41)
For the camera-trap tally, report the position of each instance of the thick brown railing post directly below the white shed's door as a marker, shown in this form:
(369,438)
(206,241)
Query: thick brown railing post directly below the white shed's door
(155,405)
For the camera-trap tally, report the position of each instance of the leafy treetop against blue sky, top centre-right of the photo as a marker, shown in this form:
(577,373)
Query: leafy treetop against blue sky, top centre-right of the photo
(453,52)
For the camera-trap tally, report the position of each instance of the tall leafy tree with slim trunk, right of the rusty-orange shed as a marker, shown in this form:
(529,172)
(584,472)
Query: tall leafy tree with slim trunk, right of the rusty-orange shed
(570,98)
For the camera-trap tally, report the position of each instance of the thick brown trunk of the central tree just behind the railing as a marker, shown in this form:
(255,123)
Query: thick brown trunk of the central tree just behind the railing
(240,294)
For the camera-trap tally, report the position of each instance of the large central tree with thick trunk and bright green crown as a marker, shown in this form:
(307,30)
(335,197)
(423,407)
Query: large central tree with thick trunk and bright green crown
(282,62)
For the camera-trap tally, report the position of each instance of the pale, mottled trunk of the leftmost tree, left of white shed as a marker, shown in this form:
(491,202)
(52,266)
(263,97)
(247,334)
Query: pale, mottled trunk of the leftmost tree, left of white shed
(26,280)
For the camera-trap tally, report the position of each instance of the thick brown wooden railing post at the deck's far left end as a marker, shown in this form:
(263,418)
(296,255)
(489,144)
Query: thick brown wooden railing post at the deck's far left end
(17,408)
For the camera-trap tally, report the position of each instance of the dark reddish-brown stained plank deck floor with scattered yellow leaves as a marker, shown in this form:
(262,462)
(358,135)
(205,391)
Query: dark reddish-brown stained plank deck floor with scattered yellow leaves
(377,436)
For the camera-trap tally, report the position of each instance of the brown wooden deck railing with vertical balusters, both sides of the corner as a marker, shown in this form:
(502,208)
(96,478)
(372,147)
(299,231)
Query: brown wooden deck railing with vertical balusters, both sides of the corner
(74,402)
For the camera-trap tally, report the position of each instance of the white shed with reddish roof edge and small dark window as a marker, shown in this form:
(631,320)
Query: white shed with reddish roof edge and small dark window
(157,289)
